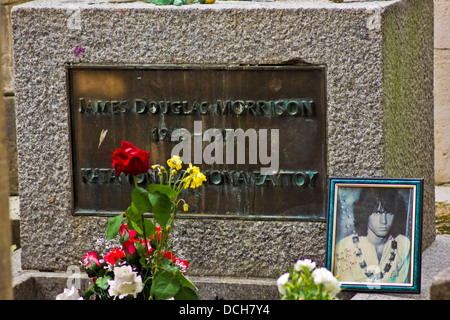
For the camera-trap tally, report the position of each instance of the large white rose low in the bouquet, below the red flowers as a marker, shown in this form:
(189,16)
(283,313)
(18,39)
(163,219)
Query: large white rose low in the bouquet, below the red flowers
(126,282)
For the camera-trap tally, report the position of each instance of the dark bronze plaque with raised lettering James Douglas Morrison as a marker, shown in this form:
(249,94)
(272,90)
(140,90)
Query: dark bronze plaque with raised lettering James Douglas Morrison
(258,134)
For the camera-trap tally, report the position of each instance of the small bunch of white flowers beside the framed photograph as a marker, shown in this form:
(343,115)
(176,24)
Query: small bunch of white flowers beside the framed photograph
(306,282)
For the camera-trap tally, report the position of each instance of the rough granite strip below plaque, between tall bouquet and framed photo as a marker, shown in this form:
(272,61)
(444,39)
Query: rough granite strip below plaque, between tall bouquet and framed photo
(259,249)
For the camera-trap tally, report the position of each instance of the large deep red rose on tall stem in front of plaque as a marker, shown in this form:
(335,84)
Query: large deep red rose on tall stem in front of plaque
(130,160)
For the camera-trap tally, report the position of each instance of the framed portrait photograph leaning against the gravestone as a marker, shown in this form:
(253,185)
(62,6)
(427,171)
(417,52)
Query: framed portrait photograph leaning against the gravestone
(375,233)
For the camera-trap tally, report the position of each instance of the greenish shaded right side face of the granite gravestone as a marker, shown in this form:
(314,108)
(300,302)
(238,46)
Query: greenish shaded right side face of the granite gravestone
(407,154)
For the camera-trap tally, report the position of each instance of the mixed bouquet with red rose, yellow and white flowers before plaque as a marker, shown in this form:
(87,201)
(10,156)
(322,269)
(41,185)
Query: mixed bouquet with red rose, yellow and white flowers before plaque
(143,266)
